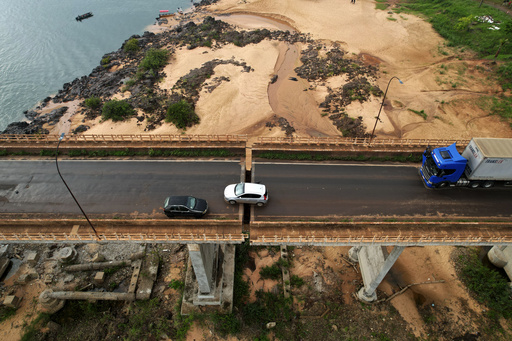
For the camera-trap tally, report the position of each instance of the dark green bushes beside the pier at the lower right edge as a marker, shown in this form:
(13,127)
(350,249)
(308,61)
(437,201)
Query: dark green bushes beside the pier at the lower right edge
(488,285)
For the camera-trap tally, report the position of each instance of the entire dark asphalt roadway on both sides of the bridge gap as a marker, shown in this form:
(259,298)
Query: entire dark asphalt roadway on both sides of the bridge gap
(295,189)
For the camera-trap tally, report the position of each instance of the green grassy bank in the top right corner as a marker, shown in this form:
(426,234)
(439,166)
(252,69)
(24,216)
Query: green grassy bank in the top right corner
(461,23)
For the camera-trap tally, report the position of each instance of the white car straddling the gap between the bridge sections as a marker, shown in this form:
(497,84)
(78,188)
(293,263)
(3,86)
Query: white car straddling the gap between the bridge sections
(246,193)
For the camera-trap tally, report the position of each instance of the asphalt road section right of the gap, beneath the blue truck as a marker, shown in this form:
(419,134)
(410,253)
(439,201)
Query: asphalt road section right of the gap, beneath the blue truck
(369,190)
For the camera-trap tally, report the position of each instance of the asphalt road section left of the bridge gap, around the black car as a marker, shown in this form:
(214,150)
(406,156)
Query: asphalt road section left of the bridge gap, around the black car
(112,187)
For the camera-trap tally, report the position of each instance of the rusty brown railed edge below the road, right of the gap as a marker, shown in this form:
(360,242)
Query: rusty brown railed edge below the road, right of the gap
(381,233)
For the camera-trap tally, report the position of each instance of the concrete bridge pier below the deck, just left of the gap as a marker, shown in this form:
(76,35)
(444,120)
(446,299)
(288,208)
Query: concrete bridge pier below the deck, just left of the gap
(209,278)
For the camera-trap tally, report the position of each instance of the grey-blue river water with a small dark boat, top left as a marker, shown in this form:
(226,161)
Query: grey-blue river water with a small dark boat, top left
(42,46)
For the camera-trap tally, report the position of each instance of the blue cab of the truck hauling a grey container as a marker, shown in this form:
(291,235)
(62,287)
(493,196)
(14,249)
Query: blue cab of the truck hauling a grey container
(442,167)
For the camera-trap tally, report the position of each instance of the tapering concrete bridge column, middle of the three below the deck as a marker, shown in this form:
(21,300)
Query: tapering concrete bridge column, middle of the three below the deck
(375,262)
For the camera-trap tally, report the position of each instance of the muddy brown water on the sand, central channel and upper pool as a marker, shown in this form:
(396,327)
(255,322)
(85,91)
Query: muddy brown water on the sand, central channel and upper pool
(289,96)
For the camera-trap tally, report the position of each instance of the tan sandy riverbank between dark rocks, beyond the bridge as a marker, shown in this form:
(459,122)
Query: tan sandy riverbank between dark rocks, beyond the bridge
(405,47)
